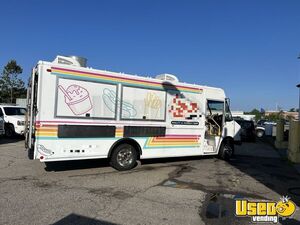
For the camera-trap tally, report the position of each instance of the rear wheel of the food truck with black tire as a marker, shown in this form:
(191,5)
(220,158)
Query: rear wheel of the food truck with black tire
(123,157)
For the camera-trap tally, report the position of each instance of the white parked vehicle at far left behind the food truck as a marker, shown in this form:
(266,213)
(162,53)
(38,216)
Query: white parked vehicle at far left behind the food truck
(14,119)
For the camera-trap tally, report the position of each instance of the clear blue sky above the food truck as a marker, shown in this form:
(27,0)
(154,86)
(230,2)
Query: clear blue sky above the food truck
(249,48)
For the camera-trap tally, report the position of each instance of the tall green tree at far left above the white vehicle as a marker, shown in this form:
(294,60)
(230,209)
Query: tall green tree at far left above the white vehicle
(11,86)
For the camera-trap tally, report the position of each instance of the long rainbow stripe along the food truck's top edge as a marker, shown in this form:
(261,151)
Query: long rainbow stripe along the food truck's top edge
(68,73)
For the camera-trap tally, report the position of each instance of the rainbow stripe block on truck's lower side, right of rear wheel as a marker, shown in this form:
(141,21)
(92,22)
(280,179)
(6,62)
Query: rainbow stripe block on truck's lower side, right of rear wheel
(173,141)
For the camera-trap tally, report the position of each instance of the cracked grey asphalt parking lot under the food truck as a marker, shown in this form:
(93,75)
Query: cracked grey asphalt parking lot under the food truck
(197,190)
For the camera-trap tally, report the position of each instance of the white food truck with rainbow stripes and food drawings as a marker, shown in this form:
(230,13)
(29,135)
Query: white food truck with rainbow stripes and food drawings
(75,112)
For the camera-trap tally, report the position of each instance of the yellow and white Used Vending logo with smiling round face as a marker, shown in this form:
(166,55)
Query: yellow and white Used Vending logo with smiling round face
(265,211)
